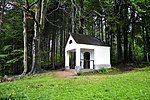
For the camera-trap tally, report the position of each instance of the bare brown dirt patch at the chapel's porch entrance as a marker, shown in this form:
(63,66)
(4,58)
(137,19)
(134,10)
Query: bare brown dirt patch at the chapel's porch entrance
(65,73)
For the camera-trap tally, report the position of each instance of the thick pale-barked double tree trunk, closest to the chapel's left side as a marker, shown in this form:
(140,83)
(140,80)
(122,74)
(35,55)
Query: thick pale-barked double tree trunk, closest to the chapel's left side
(40,11)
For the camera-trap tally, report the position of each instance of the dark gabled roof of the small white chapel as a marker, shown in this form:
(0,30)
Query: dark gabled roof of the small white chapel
(86,39)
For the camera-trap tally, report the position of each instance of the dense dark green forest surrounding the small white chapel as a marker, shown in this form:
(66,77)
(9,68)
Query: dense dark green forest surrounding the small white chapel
(33,33)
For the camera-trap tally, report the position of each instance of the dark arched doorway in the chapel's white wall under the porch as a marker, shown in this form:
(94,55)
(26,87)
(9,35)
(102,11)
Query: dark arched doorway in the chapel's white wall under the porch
(86,60)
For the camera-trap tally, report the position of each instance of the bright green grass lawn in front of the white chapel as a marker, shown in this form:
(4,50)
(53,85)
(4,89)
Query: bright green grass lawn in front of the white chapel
(134,85)
